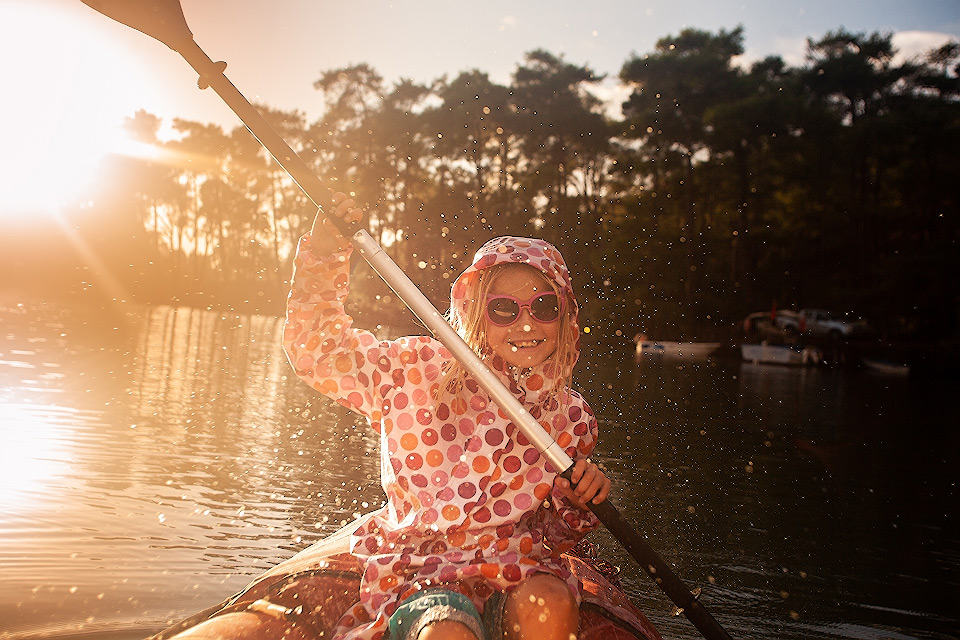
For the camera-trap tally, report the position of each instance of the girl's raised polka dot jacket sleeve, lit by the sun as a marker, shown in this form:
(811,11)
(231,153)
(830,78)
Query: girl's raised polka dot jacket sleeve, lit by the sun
(349,365)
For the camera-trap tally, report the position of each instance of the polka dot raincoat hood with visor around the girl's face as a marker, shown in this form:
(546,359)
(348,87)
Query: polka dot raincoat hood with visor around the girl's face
(539,254)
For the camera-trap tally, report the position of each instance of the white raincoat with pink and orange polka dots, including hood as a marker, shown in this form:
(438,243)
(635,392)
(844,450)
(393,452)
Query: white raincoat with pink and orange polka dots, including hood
(470,502)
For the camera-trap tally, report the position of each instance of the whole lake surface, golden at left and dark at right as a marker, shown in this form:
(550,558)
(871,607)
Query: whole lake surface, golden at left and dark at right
(155,460)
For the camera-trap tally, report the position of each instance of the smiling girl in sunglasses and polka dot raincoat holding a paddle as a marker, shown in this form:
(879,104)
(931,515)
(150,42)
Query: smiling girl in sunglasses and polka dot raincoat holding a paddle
(475,519)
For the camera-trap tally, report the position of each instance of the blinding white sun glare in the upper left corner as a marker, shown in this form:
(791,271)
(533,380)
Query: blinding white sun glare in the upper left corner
(67,91)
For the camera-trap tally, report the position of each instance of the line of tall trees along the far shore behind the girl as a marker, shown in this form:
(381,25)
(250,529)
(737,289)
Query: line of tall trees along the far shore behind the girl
(711,192)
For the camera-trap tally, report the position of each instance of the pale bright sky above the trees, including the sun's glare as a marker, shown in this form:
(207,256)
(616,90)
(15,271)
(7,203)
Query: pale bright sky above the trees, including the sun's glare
(71,75)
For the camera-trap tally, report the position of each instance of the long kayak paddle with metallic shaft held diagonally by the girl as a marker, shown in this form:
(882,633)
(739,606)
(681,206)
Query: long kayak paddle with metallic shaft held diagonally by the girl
(163,20)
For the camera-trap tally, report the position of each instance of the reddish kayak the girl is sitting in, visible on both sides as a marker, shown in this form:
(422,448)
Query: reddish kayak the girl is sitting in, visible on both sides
(304,597)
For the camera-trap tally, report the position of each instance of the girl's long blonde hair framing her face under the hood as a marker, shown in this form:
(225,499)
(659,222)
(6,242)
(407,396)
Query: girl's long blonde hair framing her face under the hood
(470,322)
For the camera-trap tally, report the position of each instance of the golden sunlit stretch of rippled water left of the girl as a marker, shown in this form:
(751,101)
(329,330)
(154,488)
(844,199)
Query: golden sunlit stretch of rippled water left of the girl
(169,463)
